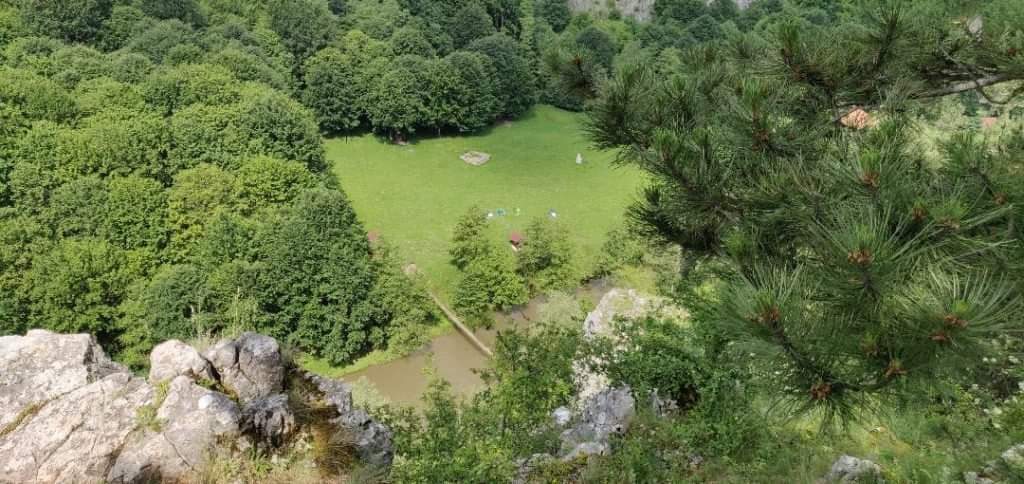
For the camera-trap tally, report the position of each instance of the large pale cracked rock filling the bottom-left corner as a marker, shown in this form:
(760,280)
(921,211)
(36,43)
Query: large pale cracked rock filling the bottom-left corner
(66,410)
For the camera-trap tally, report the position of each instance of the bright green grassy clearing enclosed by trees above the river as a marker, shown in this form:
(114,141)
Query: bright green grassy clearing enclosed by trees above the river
(413,195)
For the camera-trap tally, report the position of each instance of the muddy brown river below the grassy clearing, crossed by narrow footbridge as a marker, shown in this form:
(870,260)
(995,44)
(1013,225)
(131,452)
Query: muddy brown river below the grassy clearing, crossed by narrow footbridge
(453,358)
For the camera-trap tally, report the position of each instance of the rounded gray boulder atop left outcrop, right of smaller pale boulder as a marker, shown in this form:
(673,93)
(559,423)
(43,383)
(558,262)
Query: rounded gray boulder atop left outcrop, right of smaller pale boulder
(251,367)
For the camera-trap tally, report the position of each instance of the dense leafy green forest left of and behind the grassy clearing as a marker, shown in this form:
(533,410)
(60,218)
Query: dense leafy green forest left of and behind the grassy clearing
(162,168)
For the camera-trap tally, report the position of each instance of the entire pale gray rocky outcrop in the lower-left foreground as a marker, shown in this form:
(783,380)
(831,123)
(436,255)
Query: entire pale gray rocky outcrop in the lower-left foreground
(68,414)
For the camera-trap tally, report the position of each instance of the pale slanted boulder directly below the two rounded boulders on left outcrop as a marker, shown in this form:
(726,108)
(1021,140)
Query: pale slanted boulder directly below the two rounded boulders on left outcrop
(191,422)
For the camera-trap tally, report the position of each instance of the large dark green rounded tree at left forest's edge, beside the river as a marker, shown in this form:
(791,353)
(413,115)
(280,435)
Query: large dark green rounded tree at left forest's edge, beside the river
(315,279)
